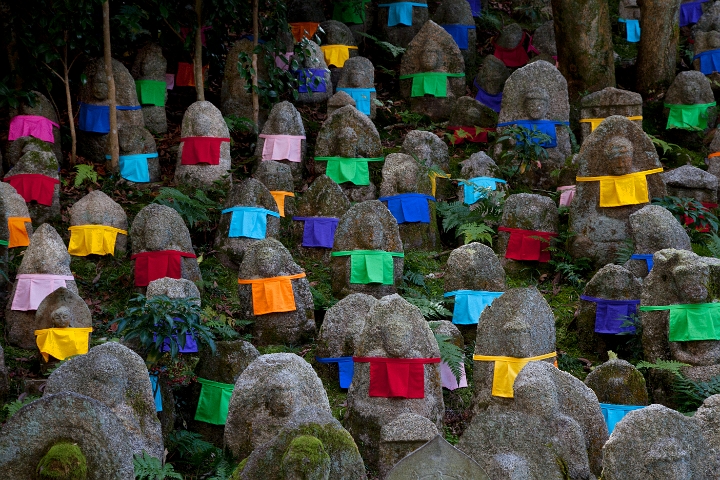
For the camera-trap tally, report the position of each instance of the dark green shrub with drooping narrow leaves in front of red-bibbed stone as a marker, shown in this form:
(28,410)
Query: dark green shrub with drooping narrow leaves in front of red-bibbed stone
(152,321)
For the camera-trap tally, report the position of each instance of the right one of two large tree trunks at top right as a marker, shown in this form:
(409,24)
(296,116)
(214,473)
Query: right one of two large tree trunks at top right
(657,53)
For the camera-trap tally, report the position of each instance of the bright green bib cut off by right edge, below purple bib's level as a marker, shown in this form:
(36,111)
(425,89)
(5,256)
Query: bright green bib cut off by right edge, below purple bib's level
(691,321)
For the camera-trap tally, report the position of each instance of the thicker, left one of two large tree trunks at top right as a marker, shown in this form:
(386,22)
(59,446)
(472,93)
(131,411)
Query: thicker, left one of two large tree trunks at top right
(584,45)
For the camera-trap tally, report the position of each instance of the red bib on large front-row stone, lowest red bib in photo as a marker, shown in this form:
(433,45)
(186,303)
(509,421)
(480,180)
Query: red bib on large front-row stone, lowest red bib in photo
(397,377)
